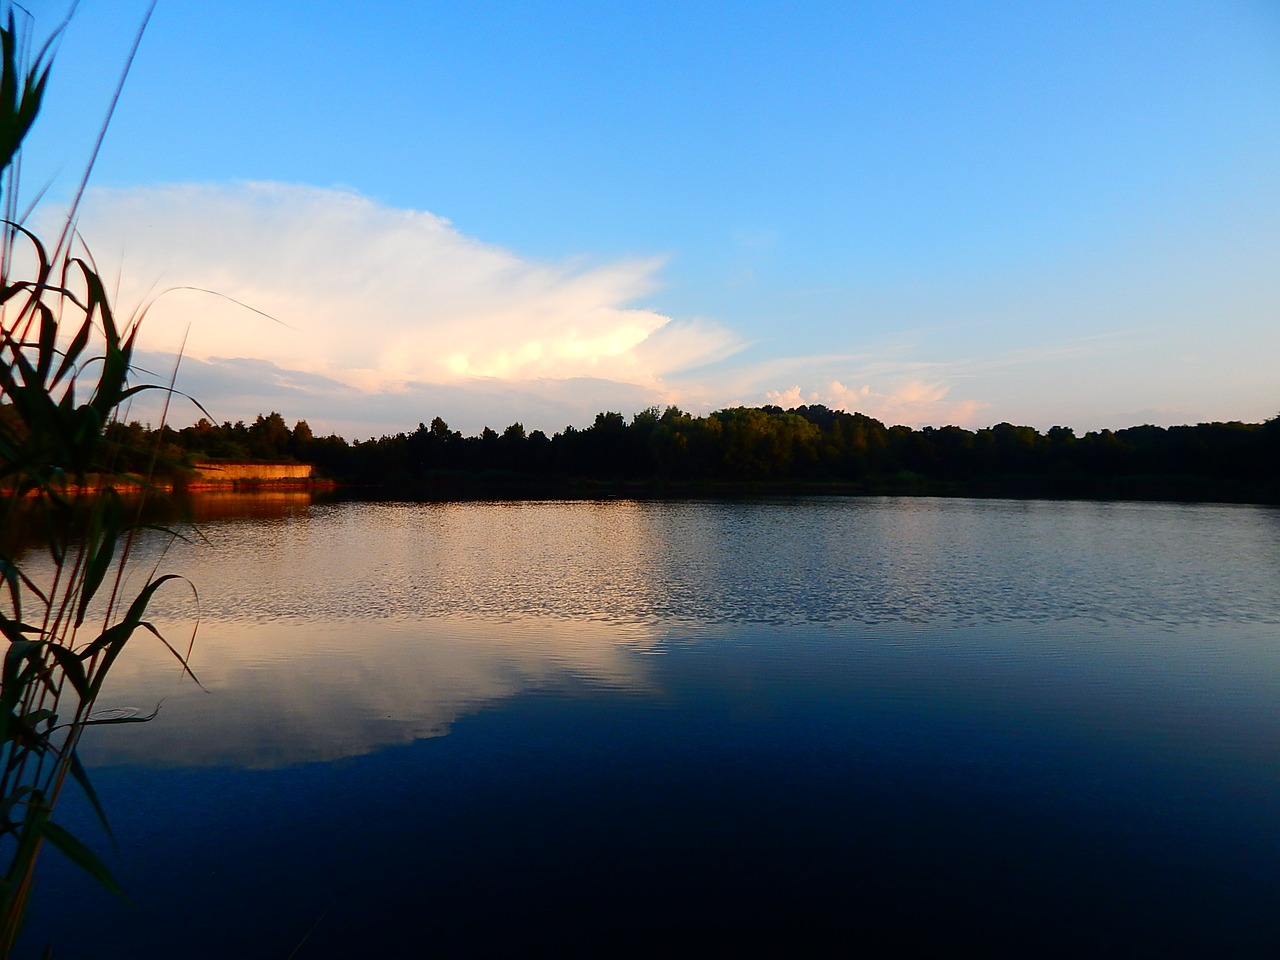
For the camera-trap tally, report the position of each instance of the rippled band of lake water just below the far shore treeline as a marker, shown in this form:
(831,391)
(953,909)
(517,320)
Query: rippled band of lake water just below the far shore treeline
(817,561)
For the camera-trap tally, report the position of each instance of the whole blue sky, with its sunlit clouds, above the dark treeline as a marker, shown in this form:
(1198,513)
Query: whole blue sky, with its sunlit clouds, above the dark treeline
(932,213)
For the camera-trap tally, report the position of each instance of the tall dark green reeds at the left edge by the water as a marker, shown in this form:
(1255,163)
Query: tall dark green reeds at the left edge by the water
(70,598)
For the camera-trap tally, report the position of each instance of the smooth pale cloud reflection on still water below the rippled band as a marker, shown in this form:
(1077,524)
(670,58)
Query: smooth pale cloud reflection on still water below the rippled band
(289,692)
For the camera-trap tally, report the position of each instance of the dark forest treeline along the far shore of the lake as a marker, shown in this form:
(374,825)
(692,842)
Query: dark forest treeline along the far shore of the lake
(746,450)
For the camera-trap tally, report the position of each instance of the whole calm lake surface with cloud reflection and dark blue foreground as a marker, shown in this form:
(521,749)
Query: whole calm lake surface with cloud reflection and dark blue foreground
(1037,729)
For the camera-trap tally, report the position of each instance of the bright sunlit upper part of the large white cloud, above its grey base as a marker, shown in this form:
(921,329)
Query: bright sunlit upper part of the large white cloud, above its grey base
(374,298)
